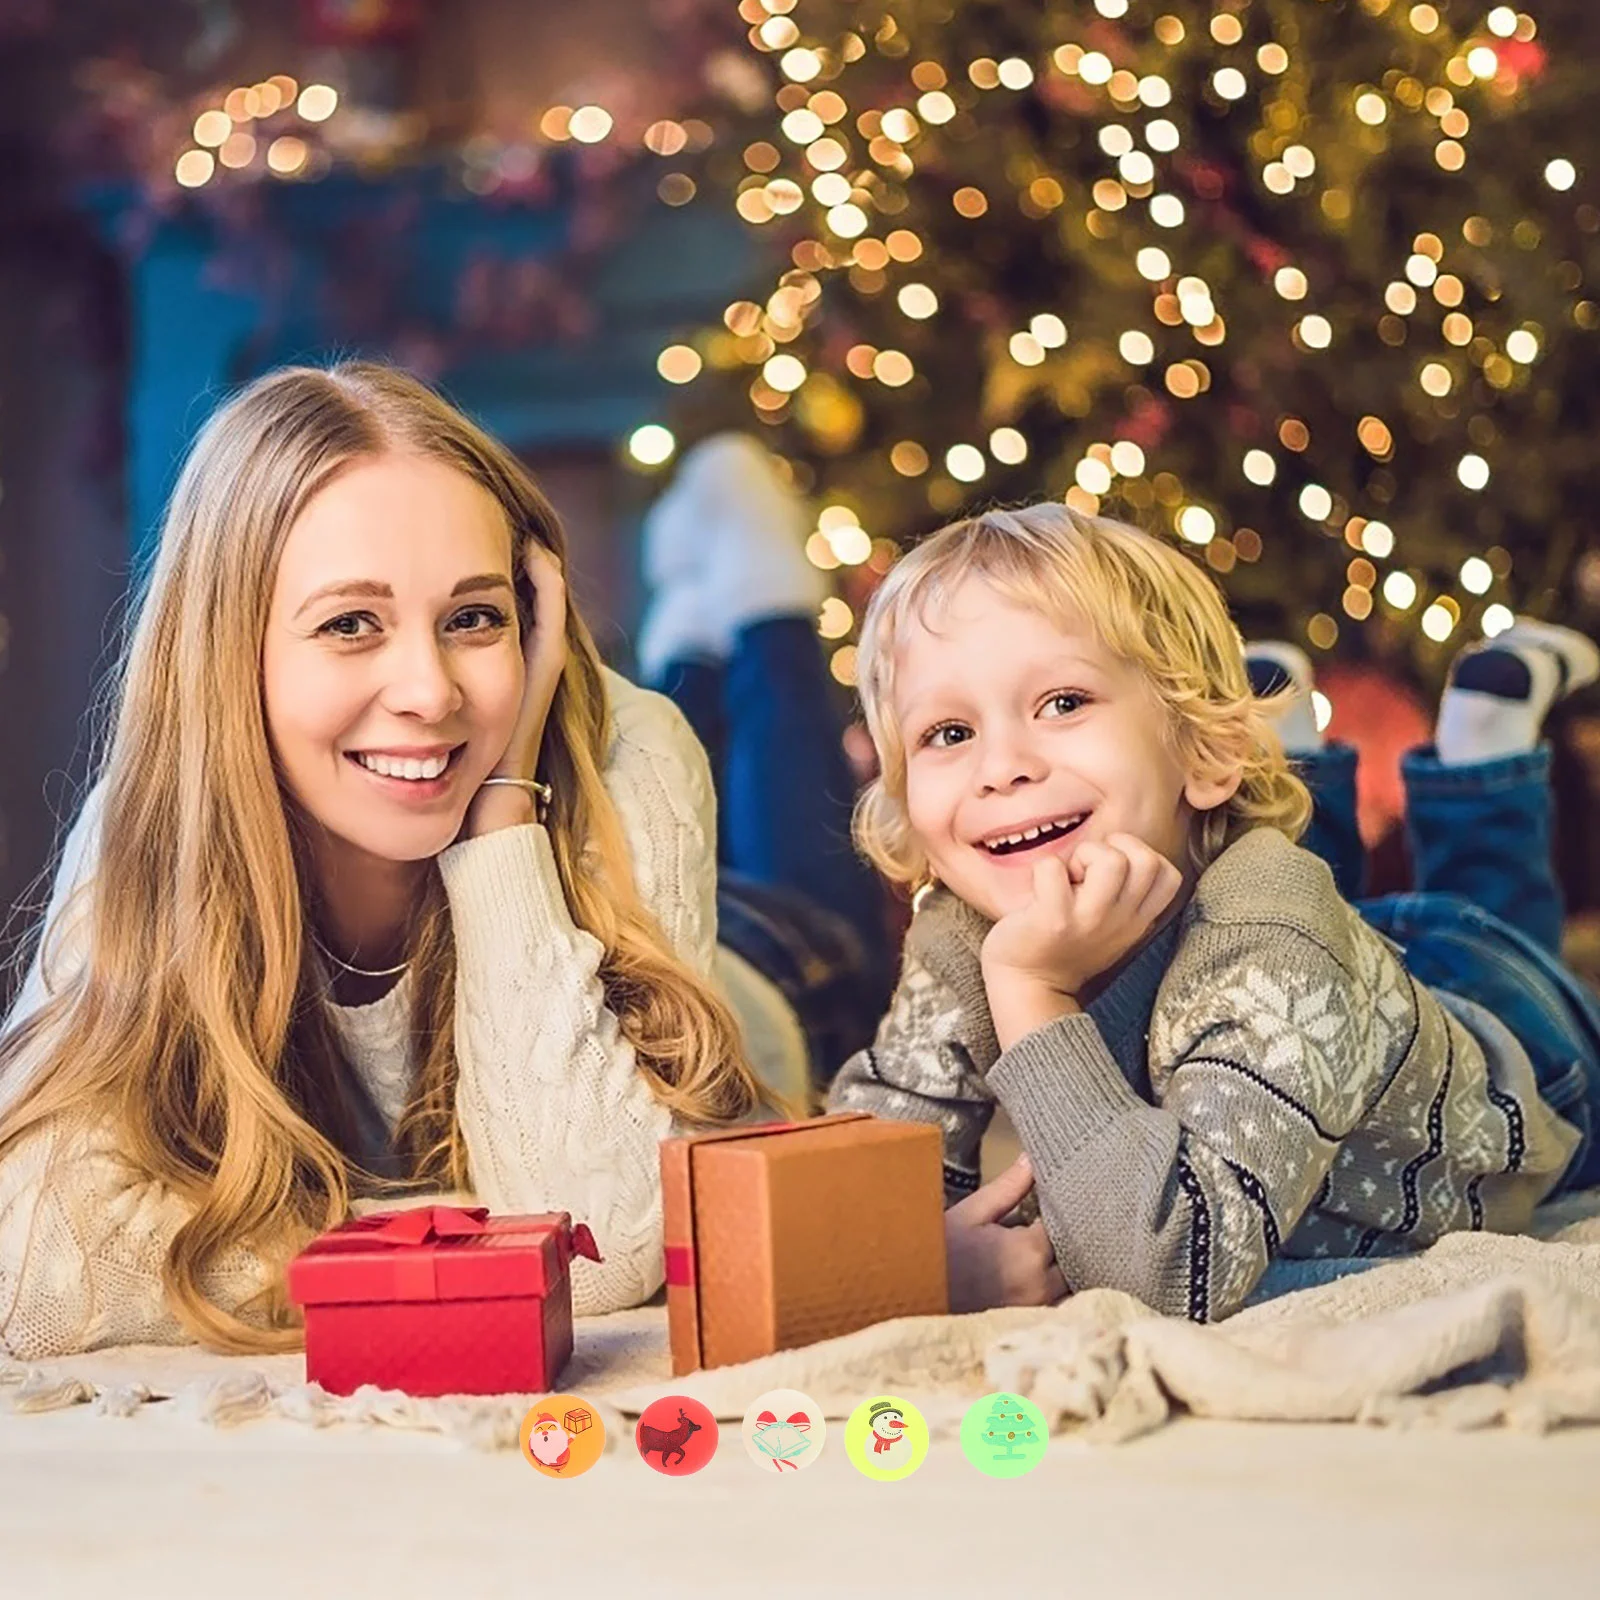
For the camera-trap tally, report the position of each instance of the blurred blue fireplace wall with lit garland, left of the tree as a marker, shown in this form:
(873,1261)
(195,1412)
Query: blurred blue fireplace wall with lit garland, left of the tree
(202,188)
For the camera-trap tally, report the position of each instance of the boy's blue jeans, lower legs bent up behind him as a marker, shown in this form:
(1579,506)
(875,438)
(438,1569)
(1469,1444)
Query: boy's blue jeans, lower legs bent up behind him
(1484,922)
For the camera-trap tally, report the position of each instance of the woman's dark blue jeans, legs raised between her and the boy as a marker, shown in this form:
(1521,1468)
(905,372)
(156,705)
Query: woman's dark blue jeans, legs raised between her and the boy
(794,898)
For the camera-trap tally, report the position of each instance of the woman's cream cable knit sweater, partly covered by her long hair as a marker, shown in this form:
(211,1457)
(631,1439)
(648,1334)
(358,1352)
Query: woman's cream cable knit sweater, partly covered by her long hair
(553,1105)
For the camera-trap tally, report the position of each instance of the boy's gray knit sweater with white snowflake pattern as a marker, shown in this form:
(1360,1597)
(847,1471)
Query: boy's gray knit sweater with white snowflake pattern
(1298,1092)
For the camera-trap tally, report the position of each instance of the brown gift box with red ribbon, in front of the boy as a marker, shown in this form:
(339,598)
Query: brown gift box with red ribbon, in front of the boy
(783,1234)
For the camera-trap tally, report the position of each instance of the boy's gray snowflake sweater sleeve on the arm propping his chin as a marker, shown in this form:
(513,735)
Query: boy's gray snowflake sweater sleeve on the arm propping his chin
(1185,1204)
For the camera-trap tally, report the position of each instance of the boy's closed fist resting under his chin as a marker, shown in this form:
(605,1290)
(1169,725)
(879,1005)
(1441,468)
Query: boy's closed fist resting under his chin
(1082,918)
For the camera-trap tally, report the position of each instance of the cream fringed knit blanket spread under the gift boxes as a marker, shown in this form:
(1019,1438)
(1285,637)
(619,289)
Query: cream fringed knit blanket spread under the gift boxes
(1479,1330)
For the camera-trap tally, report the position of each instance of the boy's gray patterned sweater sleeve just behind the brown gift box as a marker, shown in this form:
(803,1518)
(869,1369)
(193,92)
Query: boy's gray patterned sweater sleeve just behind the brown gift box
(921,1070)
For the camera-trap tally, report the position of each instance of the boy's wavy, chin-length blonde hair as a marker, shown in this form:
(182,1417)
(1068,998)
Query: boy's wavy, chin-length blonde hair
(1146,604)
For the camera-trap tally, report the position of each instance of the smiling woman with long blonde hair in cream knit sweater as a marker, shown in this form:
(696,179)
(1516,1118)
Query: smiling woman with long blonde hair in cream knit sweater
(385,881)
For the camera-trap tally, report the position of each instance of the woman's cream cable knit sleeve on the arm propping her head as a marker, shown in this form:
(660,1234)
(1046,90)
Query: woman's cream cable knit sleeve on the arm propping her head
(554,1108)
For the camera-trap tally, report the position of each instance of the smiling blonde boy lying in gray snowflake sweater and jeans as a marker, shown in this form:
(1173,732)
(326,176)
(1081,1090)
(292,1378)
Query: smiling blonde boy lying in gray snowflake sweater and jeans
(1212,1058)
